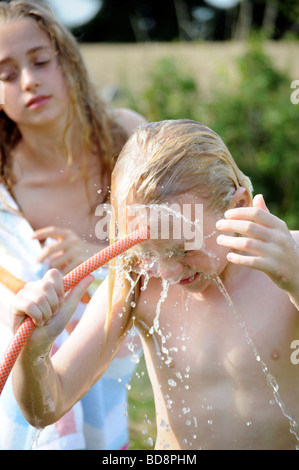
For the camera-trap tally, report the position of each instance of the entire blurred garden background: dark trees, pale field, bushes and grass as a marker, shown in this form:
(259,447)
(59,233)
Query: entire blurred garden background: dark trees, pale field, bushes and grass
(232,64)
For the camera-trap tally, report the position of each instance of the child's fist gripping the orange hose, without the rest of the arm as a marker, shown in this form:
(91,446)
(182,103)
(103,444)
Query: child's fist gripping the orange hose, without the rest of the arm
(45,302)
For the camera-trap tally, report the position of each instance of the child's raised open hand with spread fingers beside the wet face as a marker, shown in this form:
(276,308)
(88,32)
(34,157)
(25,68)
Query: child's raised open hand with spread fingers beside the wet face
(266,243)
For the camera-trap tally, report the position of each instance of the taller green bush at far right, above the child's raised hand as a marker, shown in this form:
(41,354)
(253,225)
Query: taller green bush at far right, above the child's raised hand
(259,124)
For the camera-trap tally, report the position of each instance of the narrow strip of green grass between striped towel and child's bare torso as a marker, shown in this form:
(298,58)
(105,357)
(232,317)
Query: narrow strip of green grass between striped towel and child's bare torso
(141,410)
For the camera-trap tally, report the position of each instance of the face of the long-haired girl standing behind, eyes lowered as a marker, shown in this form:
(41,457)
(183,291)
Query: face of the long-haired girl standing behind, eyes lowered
(35,92)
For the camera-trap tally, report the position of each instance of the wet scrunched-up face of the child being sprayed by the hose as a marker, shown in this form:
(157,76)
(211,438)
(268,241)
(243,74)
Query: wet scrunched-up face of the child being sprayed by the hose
(189,256)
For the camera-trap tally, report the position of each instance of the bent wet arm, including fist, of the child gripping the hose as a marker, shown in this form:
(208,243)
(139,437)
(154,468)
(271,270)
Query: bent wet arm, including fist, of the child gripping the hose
(47,387)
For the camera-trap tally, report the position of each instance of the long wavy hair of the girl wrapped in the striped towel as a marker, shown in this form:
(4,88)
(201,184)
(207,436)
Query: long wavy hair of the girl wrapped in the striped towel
(99,131)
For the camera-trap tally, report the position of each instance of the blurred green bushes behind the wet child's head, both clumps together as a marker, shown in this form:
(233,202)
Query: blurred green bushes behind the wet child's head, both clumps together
(256,120)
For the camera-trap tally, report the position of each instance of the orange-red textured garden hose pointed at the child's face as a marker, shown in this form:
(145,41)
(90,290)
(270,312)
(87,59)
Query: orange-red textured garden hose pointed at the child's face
(69,281)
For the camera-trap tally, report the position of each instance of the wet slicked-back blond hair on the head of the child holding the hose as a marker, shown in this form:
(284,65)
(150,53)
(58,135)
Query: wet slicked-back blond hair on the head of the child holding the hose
(165,159)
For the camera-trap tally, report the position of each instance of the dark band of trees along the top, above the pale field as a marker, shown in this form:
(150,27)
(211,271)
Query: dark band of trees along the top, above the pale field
(189,20)
